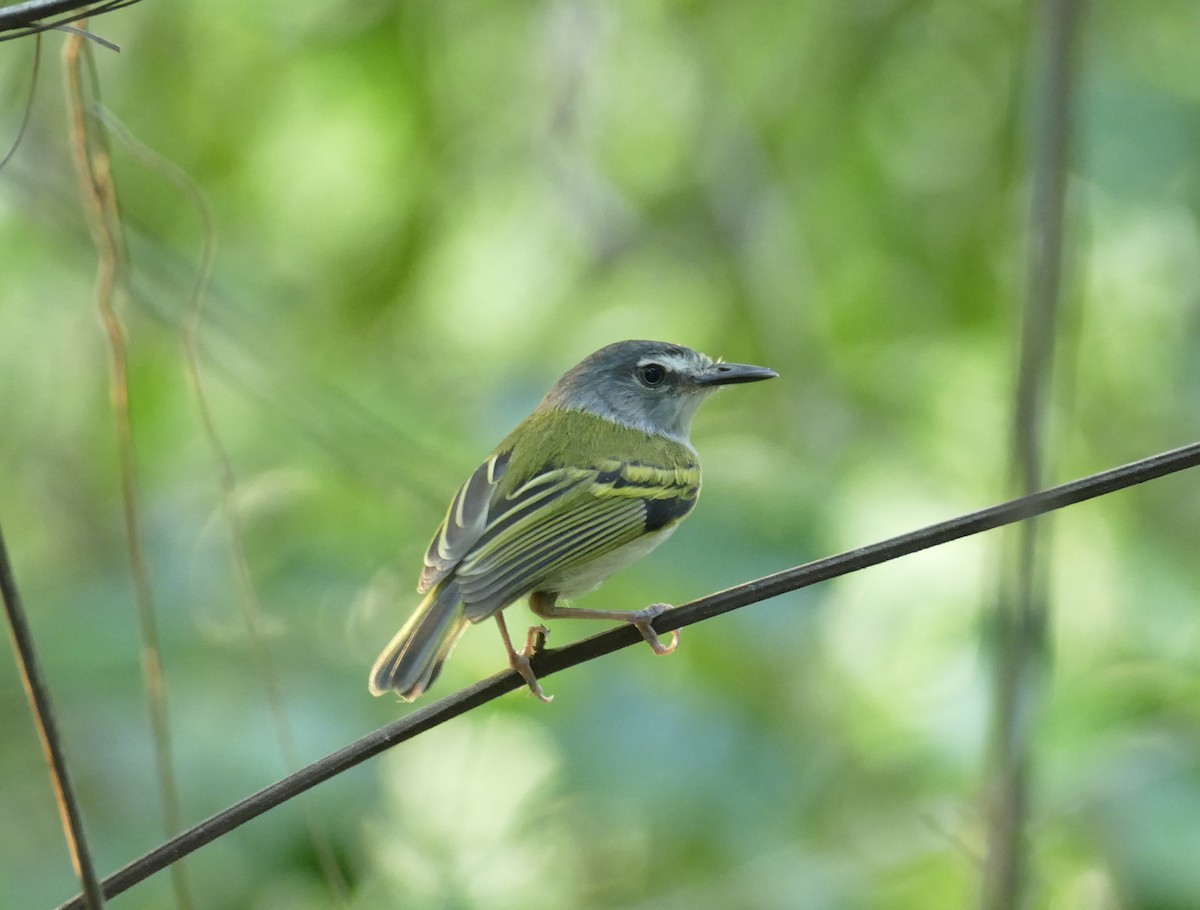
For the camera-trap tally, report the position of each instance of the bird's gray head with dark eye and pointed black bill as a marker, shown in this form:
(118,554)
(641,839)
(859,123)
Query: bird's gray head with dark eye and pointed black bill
(652,386)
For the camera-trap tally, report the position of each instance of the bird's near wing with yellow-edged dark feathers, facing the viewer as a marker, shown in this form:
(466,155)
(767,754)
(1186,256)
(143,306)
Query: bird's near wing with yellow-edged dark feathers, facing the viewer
(563,519)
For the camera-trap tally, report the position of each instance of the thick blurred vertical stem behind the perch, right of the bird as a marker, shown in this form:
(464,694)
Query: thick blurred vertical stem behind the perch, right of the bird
(1023,615)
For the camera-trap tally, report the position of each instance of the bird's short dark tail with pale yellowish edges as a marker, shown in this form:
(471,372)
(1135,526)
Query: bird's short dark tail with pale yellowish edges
(412,661)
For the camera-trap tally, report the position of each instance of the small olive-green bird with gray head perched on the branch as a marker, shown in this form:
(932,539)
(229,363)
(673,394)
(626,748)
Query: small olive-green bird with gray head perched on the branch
(598,476)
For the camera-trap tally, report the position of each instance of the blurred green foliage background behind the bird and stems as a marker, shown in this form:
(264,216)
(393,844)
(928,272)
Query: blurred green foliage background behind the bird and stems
(427,212)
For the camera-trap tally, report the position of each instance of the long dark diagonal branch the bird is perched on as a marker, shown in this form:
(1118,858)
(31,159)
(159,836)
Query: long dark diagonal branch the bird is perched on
(550,662)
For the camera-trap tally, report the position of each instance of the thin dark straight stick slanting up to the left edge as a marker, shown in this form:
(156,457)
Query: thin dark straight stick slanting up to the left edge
(47,729)
